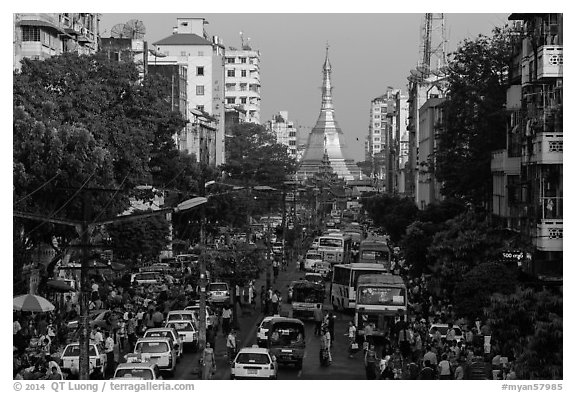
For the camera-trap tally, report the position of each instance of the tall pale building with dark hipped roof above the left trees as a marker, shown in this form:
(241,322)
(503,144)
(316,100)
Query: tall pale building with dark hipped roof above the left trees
(190,46)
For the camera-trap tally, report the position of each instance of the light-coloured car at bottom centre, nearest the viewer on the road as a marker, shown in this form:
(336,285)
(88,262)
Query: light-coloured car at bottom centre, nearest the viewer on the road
(254,363)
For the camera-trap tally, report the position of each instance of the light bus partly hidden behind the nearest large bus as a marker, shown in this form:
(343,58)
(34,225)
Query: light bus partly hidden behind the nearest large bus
(344,280)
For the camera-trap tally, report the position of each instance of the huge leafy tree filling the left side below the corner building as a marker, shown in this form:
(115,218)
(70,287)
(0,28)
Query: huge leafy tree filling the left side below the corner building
(86,122)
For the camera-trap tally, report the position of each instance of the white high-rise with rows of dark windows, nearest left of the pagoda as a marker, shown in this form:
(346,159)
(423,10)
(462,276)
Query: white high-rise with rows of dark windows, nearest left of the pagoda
(242,80)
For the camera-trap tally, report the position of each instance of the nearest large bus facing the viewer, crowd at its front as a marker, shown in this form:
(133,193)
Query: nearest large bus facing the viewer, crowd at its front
(381,299)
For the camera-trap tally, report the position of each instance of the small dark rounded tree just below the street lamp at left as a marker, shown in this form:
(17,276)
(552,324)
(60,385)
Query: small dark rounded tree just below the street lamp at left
(144,238)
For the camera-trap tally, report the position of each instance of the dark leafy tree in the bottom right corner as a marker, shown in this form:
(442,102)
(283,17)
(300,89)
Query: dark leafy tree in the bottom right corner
(528,325)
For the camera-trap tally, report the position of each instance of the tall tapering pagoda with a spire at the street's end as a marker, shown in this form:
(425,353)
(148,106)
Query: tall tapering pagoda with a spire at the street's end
(327,137)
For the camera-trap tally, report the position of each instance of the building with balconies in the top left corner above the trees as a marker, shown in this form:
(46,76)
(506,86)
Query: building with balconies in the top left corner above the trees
(39,36)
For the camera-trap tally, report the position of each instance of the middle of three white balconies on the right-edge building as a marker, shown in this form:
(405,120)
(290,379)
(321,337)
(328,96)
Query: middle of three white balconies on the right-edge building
(545,148)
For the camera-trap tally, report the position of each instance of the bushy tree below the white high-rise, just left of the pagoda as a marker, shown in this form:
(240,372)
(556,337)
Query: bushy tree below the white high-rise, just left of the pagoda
(255,158)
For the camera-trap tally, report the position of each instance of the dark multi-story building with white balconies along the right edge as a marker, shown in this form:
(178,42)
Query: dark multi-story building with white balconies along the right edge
(527,175)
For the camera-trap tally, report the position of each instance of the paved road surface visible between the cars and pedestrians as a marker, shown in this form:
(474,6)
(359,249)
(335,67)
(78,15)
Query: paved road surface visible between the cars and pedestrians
(342,367)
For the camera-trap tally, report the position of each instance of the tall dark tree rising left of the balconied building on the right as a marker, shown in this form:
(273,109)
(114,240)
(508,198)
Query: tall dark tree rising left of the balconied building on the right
(474,119)
